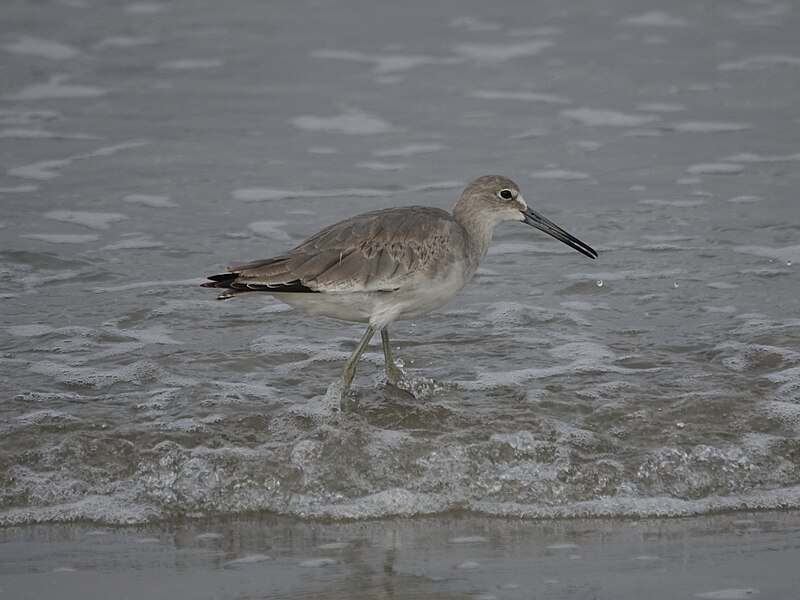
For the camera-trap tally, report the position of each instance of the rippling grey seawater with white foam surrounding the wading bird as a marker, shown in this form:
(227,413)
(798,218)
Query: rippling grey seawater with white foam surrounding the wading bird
(145,145)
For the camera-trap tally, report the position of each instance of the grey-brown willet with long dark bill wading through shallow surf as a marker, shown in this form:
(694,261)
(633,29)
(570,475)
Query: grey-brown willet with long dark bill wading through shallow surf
(390,264)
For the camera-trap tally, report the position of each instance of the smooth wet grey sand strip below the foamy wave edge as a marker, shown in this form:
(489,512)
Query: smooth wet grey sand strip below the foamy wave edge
(730,556)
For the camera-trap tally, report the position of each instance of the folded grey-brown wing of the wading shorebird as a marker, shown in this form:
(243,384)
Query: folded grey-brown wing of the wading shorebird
(377,251)
